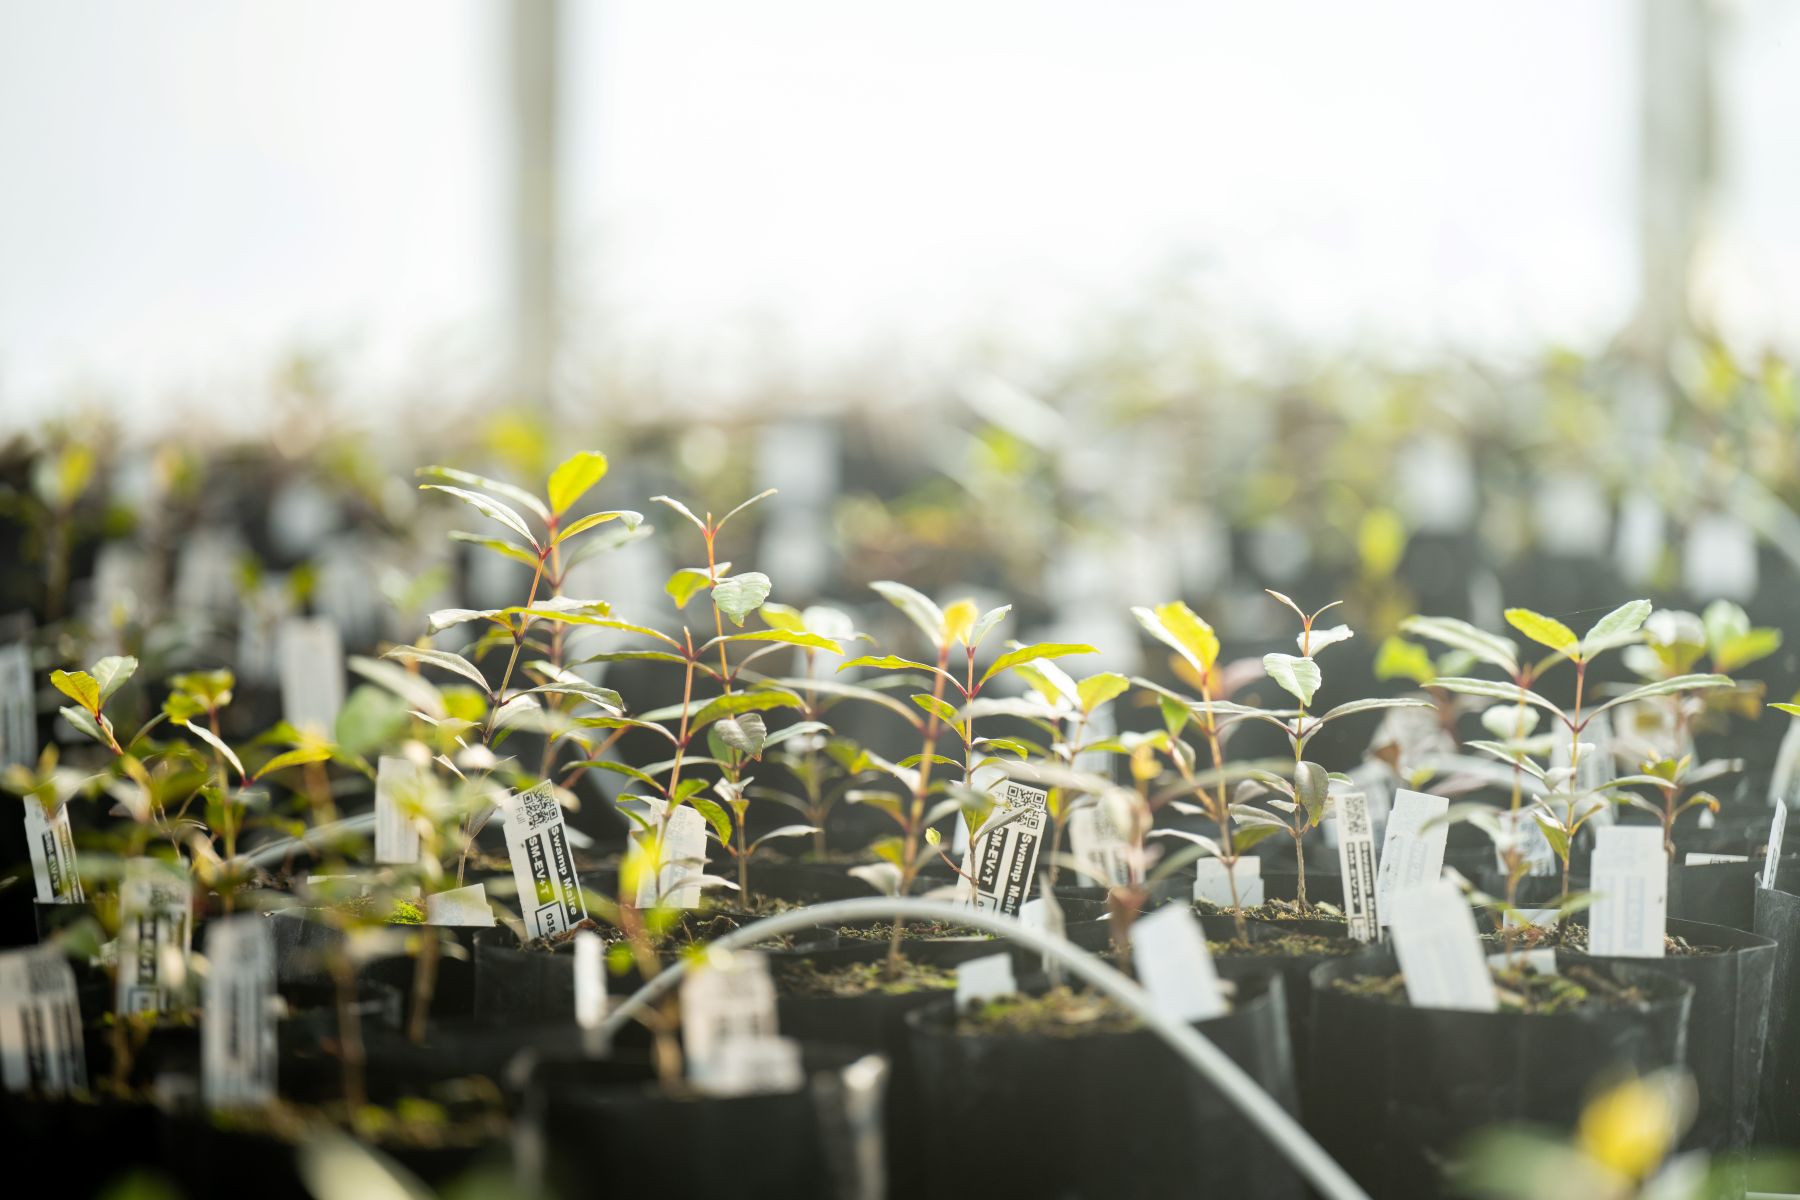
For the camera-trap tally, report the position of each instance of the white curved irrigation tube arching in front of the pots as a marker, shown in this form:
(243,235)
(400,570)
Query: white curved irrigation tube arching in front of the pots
(1263,1111)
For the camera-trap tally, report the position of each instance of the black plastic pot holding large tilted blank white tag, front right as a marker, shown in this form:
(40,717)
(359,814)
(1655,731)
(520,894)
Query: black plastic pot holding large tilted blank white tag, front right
(1399,1088)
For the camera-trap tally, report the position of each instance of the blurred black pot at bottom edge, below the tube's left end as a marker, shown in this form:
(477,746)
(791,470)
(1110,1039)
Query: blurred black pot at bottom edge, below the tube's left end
(595,1129)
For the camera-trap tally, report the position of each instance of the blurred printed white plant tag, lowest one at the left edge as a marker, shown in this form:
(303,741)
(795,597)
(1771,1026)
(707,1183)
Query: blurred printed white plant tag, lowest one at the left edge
(40,1025)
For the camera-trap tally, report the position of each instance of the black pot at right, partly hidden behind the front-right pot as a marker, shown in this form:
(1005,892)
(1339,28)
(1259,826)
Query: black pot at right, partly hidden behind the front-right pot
(1729,1028)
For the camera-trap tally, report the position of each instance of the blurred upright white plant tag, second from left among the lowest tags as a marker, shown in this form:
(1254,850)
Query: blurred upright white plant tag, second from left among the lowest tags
(238,1025)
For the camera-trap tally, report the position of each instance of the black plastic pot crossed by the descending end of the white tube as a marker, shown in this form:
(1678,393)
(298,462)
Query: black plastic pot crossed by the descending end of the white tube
(1104,1116)
